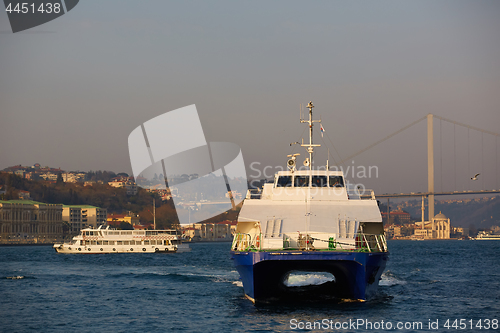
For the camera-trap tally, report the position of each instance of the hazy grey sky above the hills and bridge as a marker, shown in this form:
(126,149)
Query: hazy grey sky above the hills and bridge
(73,89)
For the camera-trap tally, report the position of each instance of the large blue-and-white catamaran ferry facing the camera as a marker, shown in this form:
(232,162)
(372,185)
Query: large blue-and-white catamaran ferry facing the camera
(309,222)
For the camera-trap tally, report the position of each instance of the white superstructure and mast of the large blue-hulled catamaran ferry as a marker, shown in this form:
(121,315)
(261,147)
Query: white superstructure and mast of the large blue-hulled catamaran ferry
(310,209)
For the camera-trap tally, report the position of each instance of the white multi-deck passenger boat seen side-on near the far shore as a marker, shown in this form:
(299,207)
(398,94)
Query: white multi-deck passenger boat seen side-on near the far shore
(123,241)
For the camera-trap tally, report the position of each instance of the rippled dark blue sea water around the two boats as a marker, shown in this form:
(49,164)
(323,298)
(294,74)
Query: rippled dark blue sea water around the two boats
(41,291)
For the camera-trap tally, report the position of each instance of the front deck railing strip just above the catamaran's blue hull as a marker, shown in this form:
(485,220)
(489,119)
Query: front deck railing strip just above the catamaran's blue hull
(310,241)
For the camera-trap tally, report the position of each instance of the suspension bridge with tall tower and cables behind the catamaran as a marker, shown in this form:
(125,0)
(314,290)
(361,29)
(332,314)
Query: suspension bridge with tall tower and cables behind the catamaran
(431,193)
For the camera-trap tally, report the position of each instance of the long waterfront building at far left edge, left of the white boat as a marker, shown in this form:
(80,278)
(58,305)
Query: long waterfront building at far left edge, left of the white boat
(26,221)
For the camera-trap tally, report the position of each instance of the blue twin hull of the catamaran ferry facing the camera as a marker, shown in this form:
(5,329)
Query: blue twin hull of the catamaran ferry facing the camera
(357,274)
